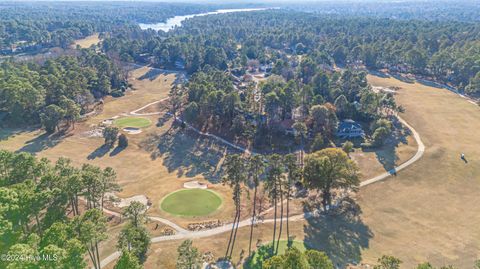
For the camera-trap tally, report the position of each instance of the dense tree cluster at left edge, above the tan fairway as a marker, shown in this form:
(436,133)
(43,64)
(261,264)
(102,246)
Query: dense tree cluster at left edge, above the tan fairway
(60,89)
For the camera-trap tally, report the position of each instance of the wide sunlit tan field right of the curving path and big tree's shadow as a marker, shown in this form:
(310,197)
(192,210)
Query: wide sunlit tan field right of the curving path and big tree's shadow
(432,206)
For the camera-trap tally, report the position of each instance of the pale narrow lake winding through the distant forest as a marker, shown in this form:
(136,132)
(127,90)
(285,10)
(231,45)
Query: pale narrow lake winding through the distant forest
(177,20)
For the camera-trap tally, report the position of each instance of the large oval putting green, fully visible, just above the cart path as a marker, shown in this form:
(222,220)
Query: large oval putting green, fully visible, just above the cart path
(191,202)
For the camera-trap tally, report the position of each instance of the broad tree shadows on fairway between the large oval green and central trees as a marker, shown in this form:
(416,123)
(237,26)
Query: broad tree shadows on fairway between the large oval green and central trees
(187,153)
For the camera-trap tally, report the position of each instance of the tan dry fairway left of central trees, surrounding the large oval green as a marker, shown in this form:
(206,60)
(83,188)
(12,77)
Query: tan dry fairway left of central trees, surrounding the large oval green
(156,162)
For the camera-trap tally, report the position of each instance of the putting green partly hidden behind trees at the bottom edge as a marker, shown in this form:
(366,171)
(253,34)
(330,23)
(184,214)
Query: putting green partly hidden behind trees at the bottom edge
(263,253)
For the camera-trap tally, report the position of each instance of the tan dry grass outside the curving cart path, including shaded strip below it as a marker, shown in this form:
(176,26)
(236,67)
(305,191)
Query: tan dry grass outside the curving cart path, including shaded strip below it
(428,212)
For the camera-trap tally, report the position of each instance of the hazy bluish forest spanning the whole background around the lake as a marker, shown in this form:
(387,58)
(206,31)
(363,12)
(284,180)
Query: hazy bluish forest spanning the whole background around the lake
(394,36)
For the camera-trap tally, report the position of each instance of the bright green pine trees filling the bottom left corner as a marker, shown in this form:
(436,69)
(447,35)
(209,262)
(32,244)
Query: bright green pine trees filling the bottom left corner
(35,196)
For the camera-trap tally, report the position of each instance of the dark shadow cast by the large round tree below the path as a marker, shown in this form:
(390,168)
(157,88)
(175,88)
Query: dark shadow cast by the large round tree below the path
(341,235)
